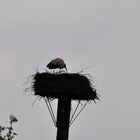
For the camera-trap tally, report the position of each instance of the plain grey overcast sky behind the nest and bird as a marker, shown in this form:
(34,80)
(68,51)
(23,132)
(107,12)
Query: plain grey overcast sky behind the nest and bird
(102,33)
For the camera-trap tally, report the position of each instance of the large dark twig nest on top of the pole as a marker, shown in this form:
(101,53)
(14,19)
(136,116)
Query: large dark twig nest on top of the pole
(64,85)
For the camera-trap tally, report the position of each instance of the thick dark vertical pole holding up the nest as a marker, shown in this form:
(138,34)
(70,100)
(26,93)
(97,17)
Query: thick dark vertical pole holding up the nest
(63,118)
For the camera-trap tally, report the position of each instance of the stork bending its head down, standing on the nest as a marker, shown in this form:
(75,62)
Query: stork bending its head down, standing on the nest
(57,63)
